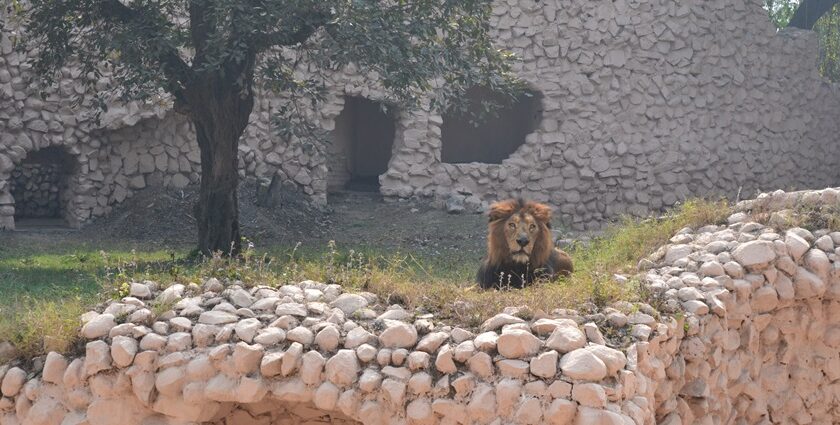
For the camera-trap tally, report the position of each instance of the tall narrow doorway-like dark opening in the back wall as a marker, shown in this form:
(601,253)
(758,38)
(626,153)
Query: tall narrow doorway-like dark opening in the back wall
(361,145)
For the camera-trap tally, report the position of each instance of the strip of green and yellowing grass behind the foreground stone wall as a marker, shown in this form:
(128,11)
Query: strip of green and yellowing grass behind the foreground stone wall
(43,293)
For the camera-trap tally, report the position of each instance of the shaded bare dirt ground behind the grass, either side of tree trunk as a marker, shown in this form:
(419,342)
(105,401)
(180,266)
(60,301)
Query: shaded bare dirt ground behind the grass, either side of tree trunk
(163,218)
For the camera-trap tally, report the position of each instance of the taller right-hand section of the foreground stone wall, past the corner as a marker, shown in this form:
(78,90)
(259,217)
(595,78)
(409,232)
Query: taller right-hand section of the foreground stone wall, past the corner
(761,309)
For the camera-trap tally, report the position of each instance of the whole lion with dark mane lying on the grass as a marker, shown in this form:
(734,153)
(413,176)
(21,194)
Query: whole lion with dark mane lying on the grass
(519,246)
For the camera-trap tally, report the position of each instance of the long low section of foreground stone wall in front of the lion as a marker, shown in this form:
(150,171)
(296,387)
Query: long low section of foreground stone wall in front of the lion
(326,355)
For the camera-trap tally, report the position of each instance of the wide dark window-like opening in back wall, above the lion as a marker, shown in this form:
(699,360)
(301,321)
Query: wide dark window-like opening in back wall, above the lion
(489,138)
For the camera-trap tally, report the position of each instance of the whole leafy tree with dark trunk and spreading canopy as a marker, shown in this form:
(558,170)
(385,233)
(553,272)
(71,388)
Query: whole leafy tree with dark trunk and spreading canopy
(209,56)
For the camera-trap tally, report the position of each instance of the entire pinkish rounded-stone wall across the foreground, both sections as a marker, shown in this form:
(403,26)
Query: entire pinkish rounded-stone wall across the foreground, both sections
(746,331)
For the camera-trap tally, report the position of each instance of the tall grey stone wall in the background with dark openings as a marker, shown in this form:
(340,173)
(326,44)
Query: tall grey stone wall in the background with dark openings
(643,104)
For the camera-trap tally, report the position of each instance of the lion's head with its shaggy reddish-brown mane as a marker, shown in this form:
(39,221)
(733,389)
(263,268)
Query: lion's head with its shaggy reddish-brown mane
(519,232)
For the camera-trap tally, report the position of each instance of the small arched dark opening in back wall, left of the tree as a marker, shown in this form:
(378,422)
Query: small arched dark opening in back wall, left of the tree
(40,187)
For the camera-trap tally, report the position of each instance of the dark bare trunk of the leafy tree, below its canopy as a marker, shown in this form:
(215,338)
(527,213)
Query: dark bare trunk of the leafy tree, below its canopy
(219,110)
